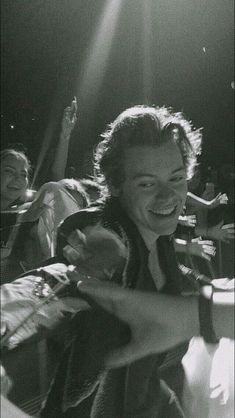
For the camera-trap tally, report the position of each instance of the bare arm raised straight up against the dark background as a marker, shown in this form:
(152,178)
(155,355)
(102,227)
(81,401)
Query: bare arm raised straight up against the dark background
(68,122)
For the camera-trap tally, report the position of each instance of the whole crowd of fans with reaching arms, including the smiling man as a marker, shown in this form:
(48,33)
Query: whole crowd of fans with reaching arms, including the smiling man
(146,222)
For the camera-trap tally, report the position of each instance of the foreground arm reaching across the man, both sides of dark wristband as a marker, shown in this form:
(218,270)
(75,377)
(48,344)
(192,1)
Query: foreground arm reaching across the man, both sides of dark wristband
(158,322)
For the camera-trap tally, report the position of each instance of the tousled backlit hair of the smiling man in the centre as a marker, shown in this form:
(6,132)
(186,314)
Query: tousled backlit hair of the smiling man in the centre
(144,125)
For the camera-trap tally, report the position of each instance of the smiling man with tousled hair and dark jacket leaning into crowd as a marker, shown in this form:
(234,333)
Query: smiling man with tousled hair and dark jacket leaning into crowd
(142,162)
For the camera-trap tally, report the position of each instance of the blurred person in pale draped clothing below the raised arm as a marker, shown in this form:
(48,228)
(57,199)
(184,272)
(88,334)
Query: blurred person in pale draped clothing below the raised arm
(36,234)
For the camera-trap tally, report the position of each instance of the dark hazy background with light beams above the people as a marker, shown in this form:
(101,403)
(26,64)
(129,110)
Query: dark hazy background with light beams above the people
(173,52)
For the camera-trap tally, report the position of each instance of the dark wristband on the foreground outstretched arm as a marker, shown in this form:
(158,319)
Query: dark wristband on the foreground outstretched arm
(205,316)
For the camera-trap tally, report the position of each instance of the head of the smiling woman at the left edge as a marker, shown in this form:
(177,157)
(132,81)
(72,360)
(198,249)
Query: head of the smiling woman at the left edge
(14,178)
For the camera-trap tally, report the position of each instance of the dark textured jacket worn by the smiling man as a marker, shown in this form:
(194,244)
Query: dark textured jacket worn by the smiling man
(82,387)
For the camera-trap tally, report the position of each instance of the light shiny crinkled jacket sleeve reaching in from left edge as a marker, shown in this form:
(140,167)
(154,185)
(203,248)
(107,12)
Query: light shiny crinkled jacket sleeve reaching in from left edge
(20,301)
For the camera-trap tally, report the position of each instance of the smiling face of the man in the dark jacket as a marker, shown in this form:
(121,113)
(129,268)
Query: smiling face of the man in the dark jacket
(155,188)
